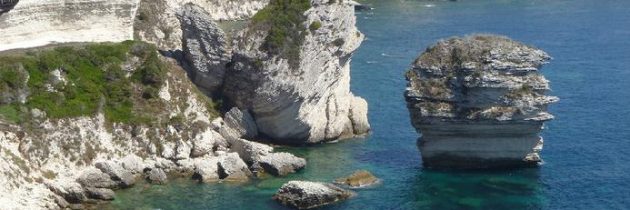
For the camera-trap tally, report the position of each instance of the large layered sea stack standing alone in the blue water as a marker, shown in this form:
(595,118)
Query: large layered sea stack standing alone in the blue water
(479,102)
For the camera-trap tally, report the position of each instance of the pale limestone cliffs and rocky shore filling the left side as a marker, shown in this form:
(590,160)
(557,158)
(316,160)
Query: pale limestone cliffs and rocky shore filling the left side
(53,160)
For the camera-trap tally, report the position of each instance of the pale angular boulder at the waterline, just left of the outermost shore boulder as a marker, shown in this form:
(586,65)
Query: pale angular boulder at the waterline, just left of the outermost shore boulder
(233,168)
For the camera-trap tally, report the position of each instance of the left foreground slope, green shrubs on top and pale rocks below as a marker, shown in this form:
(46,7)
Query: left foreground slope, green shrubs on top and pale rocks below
(138,117)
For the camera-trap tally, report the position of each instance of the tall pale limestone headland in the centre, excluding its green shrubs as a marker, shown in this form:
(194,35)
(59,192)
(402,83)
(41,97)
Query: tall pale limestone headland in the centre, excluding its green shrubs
(303,100)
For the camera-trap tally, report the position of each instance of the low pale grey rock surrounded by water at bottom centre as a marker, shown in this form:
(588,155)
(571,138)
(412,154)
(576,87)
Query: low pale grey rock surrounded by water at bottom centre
(308,195)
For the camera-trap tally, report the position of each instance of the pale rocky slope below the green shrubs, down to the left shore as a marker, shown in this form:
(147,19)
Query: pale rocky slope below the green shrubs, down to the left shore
(81,159)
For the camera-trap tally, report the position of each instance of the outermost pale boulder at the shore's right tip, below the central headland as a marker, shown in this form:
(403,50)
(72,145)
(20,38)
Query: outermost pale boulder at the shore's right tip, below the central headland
(282,163)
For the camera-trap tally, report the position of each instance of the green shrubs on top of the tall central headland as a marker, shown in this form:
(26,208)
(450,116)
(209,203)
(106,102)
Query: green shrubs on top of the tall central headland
(284,22)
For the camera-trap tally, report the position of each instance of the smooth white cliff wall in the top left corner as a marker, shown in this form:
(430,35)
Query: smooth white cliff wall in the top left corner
(33,23)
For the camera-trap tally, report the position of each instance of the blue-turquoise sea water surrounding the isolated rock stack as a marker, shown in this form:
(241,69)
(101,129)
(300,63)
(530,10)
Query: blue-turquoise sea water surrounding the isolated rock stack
(587,147)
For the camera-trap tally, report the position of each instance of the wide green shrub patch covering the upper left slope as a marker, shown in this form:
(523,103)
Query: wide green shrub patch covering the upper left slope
(94,81)
